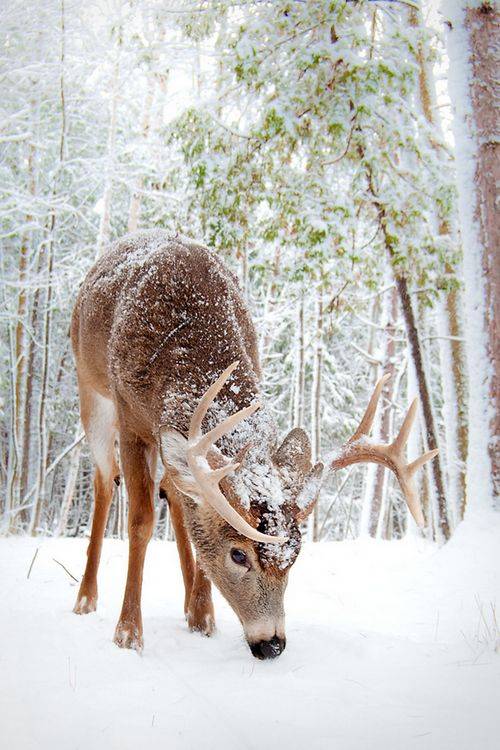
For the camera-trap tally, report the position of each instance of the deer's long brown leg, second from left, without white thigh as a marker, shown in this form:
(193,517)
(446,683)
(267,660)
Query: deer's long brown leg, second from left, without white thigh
(140,487)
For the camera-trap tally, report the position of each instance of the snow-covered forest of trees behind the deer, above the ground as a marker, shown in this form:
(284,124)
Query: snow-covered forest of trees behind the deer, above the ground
(326,150)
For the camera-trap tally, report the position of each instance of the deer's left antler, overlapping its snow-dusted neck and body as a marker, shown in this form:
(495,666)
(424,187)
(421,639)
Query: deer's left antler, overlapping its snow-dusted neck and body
(208,479)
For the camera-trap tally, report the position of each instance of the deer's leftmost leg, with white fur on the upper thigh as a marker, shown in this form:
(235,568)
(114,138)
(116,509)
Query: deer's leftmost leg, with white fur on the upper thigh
(99,421)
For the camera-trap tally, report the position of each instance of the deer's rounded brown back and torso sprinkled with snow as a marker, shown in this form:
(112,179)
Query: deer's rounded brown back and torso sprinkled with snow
(156,320)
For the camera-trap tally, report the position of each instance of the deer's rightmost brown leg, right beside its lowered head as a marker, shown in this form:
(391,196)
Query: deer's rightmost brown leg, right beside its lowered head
(198,606)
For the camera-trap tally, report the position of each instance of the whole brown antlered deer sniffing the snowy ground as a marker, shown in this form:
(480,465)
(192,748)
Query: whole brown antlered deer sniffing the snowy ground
(169,385)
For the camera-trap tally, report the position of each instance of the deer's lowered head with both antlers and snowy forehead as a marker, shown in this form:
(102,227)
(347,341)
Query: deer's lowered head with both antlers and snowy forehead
(245,513)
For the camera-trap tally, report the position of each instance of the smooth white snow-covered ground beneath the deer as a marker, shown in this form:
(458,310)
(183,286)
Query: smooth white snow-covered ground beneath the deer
(390,645)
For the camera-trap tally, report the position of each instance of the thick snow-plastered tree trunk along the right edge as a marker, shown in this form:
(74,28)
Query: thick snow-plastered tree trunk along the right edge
(473,49)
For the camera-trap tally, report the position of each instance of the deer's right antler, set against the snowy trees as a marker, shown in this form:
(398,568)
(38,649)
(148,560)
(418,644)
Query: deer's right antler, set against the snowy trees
(359,448)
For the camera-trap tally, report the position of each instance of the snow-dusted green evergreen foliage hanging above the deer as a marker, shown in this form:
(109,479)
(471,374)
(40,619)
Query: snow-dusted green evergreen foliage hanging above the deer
(320,100)
